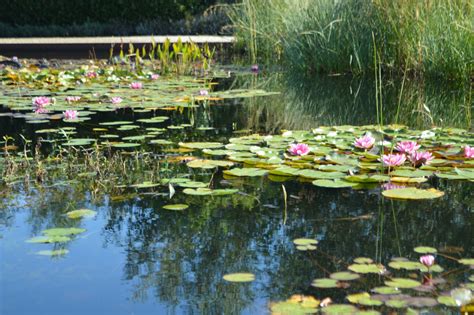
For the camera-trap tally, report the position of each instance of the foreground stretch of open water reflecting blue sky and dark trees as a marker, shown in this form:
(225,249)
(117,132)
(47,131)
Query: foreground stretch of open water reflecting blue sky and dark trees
(137,258)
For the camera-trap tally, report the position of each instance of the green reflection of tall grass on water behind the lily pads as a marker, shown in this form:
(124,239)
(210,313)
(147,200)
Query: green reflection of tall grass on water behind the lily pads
(306,103)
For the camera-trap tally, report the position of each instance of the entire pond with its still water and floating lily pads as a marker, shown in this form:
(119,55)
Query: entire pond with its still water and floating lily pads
(190,202)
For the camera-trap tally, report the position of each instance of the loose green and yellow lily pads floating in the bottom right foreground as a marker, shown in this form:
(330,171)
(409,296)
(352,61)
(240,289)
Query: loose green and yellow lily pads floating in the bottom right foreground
(427,288)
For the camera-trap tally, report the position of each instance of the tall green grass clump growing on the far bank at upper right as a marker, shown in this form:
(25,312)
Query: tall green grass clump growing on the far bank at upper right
(430,37)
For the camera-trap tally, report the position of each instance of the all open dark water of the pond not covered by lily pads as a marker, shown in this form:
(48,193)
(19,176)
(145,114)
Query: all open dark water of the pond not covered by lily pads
(136,258)
